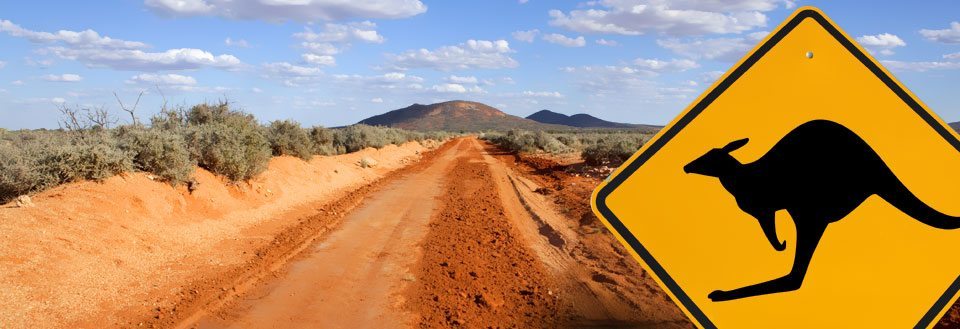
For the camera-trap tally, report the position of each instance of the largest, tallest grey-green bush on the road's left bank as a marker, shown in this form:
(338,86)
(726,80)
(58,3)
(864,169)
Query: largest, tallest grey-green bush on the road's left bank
(226,142)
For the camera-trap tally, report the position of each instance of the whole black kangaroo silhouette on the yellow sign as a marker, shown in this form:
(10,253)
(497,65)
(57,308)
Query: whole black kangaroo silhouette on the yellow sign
(819,172)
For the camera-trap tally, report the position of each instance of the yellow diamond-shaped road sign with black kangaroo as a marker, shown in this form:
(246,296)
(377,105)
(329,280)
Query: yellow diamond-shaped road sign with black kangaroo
(806,188)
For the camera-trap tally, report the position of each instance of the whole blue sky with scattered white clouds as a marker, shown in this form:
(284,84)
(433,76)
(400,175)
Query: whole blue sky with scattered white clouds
(335,62)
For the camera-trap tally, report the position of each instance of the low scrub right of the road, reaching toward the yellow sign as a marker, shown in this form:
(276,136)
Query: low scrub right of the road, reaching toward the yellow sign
(596,147)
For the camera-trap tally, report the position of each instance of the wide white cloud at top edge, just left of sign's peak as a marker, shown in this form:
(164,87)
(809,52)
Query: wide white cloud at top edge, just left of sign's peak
(671,17)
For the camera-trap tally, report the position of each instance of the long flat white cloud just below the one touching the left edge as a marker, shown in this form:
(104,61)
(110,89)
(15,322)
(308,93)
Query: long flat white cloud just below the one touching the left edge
(127,59)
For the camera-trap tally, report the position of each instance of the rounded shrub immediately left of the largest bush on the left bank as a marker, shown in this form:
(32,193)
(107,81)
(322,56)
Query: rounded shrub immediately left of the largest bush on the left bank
(157,151)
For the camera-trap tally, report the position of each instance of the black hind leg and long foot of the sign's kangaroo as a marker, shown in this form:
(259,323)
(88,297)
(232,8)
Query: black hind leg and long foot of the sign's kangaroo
(808,236)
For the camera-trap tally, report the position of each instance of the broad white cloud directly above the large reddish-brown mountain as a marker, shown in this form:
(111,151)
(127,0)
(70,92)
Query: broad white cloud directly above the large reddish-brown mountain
(474,54)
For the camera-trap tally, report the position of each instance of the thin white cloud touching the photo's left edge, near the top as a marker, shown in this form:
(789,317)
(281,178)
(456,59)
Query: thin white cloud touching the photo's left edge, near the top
(85,38)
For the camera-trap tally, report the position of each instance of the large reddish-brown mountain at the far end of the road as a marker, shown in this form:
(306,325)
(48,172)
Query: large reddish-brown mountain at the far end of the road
(455,116)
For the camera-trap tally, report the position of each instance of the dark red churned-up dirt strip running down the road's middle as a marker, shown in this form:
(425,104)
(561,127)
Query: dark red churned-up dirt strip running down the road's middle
(476,272)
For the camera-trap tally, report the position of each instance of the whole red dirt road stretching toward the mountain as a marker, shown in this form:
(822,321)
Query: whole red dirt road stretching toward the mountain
(462,240)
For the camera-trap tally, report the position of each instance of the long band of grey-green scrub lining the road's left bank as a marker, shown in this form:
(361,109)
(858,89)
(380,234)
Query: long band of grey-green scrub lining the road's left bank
(214,136)
